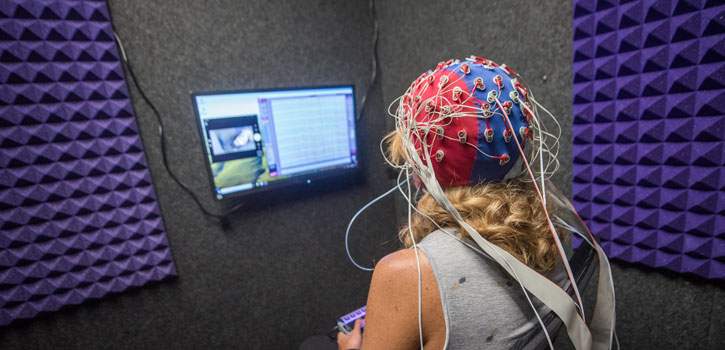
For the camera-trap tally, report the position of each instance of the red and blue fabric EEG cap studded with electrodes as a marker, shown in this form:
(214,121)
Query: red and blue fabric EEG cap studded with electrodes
(459,111)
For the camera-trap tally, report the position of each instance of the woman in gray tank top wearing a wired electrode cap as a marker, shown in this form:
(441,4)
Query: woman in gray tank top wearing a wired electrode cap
(466,126)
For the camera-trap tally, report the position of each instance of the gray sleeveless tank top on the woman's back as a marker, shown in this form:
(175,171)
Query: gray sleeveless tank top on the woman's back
(483,307)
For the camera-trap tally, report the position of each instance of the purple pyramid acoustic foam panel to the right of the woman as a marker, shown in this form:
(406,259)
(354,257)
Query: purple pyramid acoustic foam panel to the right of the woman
(649,130)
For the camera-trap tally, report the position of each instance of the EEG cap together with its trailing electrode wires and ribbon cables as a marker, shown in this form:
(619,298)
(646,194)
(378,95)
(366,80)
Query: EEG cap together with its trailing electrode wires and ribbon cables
(473,121)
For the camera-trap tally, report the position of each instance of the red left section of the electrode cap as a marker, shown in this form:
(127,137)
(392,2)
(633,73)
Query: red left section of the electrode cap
(457,163)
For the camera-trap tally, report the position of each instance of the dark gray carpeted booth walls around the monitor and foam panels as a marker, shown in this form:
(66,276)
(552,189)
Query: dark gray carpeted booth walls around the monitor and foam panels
(280,274)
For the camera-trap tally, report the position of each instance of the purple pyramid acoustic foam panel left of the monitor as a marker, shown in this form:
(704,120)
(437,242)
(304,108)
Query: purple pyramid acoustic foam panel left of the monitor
(78,213)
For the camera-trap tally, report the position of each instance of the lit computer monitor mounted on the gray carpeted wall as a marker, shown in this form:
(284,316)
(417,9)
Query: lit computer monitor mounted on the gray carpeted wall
(263,139)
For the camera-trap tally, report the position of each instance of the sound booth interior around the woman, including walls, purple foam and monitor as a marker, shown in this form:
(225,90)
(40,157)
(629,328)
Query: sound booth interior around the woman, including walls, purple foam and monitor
(126,222)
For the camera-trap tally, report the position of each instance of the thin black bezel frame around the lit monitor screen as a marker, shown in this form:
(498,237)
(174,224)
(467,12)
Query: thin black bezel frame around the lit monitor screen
(295,181)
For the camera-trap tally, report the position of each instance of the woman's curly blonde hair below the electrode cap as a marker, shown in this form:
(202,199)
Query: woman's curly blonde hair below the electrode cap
(507,214)
